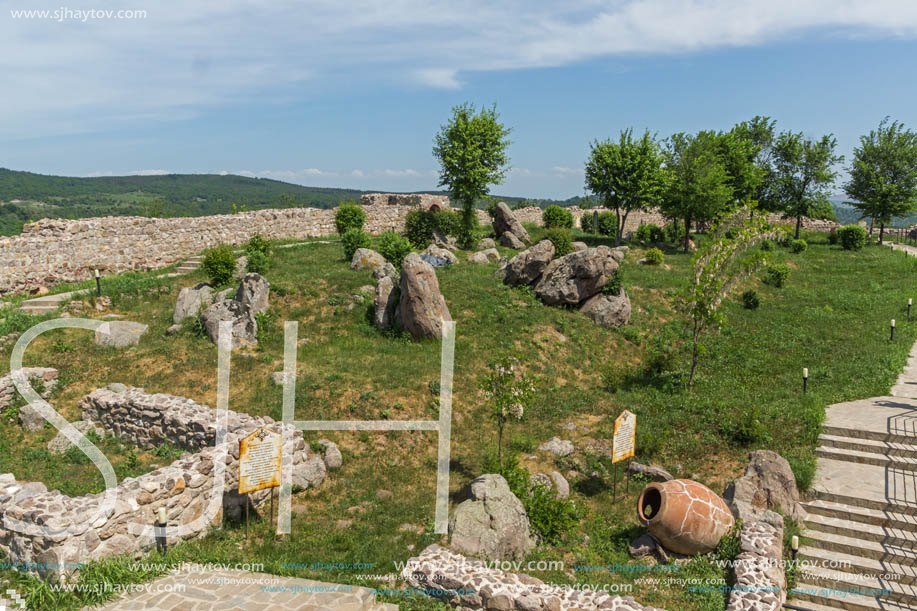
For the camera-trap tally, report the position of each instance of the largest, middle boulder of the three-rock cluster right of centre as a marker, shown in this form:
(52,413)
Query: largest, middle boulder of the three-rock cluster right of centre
(576,277)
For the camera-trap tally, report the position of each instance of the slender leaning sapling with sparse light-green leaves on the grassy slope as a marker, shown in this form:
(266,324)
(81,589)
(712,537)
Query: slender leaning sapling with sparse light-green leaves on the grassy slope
(719,265)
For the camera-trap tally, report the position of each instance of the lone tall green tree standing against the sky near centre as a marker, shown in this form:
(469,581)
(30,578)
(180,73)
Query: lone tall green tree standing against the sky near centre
(471,150)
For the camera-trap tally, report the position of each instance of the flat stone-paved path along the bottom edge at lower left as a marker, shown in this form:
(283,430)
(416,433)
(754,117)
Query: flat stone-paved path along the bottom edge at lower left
(230,590)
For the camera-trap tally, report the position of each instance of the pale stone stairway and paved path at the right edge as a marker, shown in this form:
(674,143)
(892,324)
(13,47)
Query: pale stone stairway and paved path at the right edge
(861,531)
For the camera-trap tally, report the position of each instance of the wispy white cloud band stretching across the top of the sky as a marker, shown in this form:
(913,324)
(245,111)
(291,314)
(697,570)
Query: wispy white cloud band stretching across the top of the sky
(119,73)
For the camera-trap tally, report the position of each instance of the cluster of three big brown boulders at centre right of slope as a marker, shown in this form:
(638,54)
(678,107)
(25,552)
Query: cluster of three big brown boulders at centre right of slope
(576,279)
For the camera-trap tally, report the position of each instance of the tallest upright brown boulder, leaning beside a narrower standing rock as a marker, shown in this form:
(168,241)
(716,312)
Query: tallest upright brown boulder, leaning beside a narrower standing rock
(421,307)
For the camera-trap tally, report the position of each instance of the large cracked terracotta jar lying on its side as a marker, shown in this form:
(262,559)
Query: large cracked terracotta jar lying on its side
(686,517)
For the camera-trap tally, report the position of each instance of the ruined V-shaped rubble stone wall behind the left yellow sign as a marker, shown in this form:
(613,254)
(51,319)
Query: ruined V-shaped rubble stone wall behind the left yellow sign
(183,488)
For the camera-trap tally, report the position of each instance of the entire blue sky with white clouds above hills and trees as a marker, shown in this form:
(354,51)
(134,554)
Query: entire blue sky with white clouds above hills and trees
(324,94)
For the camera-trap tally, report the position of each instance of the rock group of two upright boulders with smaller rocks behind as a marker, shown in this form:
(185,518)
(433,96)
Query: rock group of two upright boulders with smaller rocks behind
(409,300)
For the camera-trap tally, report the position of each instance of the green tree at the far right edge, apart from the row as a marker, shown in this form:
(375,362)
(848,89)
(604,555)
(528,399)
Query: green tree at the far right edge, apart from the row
(883,176)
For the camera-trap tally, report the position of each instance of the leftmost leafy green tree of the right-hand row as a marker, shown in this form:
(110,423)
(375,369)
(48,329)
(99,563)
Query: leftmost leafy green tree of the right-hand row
(626,175)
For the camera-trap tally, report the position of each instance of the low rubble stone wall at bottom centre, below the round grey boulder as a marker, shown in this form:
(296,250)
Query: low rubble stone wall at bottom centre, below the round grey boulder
(468,583)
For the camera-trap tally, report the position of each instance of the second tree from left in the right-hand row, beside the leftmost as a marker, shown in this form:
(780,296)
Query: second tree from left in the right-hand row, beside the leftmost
(699,188)
